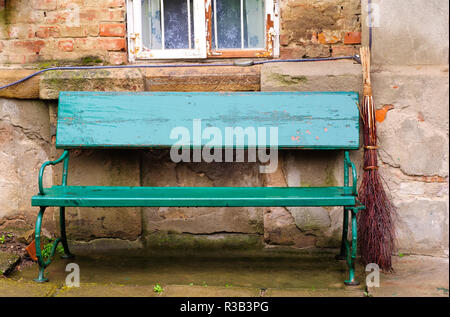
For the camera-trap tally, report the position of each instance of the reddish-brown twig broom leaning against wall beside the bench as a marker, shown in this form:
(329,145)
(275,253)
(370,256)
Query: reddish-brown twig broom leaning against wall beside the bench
(375,224)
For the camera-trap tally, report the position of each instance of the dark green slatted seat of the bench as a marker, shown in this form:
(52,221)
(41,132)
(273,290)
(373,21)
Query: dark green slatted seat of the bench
(105,196)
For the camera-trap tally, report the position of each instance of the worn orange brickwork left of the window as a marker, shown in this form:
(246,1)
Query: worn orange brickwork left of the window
(33,31)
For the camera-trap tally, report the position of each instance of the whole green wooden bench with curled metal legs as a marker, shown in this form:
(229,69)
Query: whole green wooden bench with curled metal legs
(109,120)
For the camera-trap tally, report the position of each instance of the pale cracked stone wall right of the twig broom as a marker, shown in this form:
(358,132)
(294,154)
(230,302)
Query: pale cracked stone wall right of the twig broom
(410,52)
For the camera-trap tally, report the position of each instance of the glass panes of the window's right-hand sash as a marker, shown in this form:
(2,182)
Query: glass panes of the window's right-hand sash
(228,25)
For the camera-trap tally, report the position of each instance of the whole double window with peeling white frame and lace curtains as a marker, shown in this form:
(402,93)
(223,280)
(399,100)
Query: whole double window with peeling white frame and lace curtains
(169,29)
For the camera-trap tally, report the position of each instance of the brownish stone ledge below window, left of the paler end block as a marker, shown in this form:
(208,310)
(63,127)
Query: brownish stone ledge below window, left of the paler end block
(210,78)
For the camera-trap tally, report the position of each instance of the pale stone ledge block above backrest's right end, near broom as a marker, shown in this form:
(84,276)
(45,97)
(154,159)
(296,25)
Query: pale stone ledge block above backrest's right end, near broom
(340,75)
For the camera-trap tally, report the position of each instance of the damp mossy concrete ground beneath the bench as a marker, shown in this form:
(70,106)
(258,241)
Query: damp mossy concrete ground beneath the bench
(269,273)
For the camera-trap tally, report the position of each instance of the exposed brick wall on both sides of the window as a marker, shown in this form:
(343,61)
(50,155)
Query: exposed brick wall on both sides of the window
(33,31)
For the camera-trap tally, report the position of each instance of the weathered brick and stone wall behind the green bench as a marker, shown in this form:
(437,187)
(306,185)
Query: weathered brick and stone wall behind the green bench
(413,136)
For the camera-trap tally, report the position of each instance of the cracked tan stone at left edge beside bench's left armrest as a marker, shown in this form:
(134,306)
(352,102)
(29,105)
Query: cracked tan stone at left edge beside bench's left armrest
(25,145)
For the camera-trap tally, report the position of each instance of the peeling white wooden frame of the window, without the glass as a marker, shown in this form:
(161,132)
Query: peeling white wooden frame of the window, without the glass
(136,50)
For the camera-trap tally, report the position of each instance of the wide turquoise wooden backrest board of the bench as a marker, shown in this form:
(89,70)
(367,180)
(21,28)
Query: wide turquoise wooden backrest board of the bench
(318,120)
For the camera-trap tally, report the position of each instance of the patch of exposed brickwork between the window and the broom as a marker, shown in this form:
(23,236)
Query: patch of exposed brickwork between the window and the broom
(319,28)
